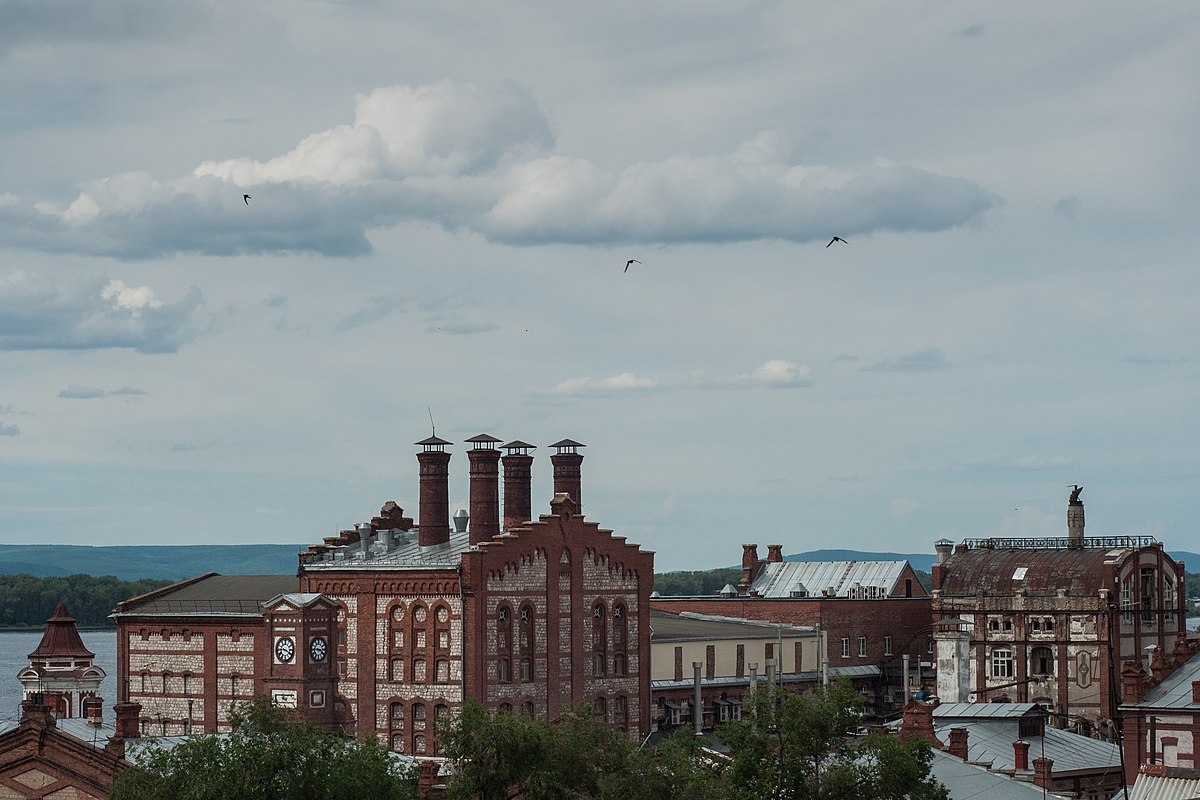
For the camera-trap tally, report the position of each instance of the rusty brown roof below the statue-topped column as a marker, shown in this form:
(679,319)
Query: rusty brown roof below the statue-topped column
(993,572)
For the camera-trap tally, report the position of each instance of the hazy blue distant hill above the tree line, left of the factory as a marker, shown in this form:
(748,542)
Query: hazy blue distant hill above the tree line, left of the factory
(166,563)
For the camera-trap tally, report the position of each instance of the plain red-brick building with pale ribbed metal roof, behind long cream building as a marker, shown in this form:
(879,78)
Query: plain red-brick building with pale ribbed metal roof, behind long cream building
(872,617)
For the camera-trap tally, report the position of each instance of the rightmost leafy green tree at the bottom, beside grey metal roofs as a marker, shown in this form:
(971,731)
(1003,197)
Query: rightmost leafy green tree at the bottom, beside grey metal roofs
(795,747)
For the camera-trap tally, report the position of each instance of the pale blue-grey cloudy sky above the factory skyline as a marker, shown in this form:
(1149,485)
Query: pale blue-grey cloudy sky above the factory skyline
(443,199)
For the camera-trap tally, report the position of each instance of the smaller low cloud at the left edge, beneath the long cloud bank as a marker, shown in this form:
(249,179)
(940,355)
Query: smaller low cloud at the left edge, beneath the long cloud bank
(92,314)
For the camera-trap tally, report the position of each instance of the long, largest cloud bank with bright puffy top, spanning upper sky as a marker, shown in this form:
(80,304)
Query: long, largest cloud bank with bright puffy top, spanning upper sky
(478,159)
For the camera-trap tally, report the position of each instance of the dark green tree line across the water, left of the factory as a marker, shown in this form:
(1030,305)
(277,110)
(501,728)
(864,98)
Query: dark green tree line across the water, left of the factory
(27,601)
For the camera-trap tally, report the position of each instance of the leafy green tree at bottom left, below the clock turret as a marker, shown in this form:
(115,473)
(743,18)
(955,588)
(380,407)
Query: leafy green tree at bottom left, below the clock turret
(269,755)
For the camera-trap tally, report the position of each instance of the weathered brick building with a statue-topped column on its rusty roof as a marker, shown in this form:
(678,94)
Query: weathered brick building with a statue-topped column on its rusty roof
(1052,621)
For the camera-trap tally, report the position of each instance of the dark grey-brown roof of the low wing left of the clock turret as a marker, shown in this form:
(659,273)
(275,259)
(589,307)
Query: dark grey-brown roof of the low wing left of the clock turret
(215,596)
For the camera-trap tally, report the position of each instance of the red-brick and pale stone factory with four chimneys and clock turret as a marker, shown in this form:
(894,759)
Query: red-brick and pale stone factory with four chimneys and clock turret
(391,625)
